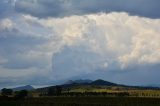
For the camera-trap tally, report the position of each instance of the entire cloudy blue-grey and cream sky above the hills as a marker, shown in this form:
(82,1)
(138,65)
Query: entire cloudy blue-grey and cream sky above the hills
(45,42)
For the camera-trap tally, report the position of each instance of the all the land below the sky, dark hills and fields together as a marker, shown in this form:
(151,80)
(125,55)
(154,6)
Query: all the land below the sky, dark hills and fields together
(83,94)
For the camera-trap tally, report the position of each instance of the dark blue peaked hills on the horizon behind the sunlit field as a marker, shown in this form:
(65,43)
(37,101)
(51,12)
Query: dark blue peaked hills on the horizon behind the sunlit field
(83,84)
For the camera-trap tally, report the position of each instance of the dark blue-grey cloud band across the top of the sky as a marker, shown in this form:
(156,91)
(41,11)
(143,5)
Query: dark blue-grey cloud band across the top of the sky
(61,8)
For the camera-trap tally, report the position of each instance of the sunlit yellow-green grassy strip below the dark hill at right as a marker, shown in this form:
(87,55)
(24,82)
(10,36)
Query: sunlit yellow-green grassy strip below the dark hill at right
(132,92)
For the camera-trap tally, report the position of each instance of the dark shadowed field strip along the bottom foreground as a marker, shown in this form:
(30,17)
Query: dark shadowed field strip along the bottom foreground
(83,101)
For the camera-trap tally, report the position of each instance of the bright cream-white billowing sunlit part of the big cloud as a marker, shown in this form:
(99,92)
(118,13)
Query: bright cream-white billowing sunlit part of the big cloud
(115,36)
